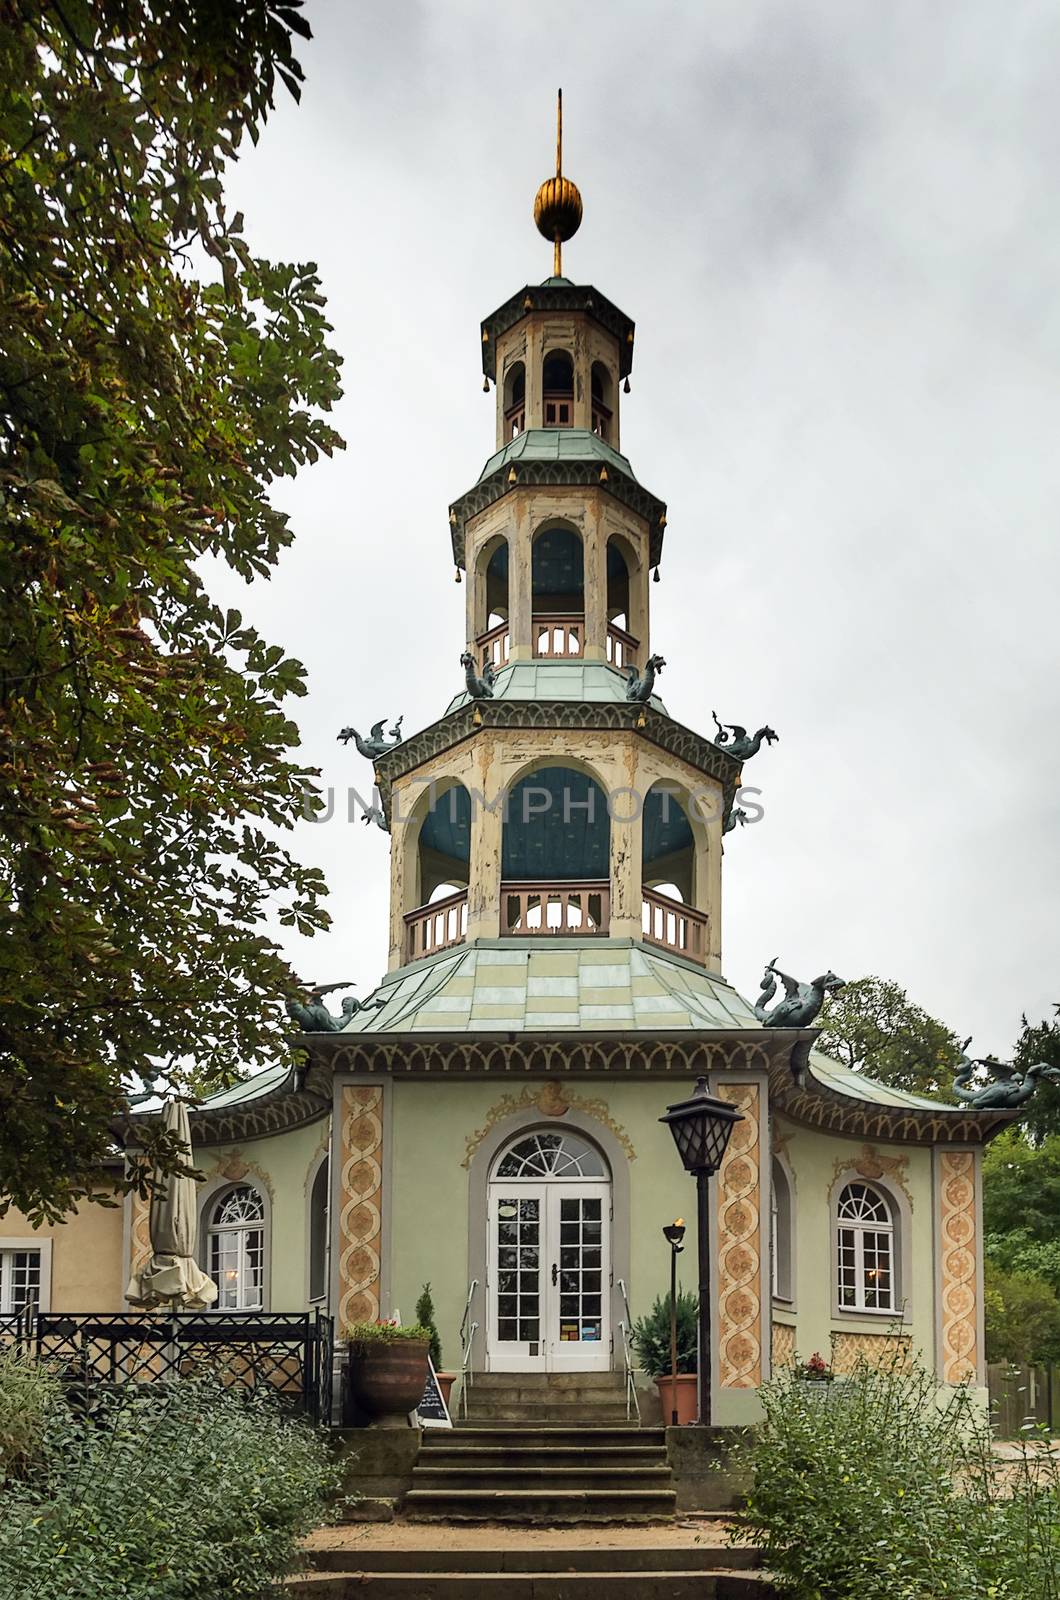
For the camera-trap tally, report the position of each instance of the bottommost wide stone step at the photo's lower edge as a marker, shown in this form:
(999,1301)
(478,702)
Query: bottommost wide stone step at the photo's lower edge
(619,1585)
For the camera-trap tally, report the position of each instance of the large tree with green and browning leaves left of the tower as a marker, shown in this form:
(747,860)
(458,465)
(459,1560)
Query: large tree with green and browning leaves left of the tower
(156,380)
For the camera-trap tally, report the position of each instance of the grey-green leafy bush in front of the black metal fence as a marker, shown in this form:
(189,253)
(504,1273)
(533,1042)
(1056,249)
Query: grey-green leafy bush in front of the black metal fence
(179,1492)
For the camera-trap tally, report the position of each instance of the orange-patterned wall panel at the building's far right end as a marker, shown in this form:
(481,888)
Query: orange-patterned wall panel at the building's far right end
(960,1268)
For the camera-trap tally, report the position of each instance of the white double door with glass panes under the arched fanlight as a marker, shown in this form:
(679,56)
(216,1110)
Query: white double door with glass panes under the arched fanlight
(550,1273)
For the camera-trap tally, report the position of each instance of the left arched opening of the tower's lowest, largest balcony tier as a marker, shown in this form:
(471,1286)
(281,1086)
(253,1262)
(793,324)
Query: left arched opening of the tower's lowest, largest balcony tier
(440,870)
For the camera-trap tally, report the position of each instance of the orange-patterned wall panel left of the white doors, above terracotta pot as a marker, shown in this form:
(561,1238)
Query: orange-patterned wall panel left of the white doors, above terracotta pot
(361,1204)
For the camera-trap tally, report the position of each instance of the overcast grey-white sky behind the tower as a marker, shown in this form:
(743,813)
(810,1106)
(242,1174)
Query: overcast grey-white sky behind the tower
(837,228)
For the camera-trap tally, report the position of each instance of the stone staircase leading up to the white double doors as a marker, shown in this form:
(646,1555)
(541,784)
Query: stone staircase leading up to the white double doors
(544,1449)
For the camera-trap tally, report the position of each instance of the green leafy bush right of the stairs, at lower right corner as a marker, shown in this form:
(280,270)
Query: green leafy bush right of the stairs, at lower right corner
(877,1490)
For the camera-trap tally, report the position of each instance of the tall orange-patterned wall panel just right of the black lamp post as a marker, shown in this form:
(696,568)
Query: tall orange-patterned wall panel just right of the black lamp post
(741,1247)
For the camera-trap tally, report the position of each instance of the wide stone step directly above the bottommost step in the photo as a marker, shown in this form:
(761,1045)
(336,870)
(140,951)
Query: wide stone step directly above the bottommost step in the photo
(710,1554)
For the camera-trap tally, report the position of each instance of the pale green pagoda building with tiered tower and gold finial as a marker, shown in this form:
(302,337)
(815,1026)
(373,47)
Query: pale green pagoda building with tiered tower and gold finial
(489,1121)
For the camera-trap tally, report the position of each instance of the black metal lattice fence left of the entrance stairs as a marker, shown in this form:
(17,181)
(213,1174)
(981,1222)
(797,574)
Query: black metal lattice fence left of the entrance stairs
(291,1354)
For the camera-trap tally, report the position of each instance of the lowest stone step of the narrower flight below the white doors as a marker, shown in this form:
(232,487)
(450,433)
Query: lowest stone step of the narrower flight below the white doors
(539,1505)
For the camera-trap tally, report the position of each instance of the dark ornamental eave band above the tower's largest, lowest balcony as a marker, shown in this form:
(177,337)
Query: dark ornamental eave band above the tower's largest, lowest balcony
(584,716)
